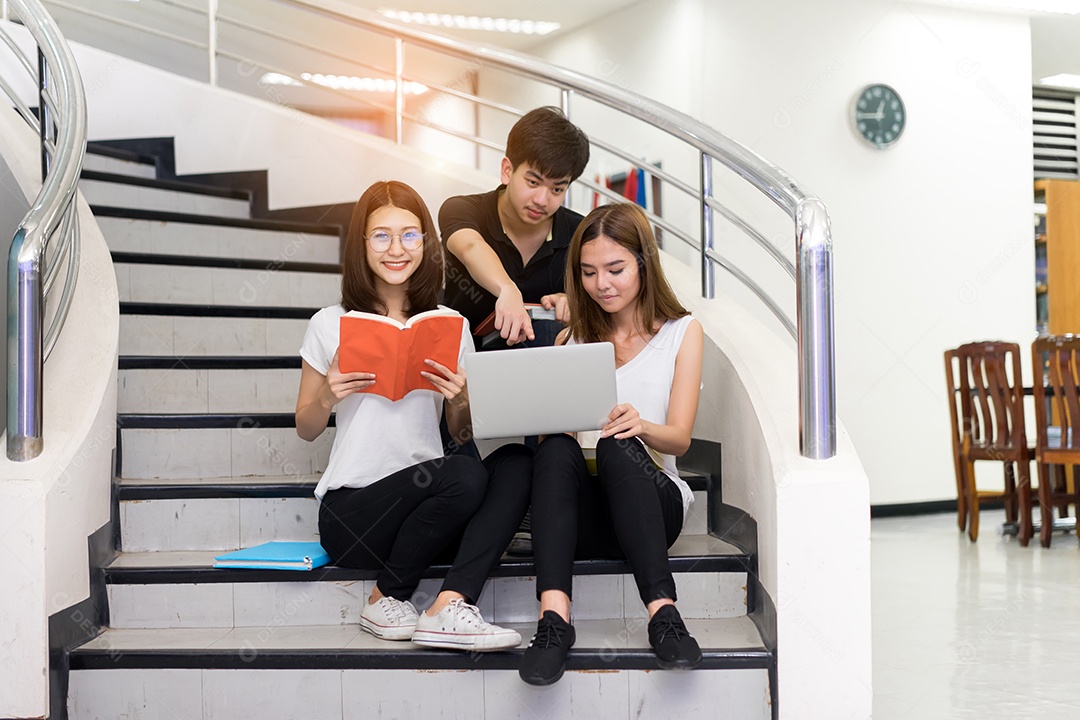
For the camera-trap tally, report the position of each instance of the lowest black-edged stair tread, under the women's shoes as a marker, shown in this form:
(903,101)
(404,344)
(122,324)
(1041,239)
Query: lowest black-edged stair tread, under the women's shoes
(614,644)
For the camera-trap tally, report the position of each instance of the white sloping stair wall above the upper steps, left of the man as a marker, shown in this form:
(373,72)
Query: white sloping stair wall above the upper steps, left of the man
(310,161)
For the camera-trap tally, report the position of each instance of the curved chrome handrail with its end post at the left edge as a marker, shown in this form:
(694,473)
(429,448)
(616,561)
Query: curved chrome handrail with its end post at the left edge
(62,129)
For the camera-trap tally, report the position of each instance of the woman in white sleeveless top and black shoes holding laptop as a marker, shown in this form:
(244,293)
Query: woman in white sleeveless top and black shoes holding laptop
(636,505)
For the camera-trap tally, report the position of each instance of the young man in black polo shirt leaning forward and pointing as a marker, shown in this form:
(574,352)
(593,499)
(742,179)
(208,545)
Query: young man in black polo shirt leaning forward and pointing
(508,248)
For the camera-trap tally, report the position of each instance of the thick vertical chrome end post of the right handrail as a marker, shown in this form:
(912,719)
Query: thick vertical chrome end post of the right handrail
(816,342)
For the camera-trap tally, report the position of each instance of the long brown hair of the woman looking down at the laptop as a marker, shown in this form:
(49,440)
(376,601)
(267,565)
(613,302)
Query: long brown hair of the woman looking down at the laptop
(627,225)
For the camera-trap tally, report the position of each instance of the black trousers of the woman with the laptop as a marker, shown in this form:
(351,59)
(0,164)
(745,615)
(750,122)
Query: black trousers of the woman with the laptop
(629,511)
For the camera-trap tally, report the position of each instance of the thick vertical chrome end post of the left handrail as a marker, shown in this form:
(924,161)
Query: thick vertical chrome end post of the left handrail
(25,360)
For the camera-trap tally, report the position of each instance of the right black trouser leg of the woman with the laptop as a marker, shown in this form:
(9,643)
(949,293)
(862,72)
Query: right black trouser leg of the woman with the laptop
(646,511)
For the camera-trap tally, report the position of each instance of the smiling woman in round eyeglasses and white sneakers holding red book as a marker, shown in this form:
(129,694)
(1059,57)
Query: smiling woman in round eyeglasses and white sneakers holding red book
(390,500)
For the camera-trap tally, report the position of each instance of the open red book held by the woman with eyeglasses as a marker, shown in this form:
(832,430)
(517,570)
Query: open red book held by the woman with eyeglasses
(396,354)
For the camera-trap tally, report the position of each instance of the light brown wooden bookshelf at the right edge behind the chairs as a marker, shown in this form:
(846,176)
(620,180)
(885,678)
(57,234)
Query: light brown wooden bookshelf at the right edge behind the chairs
(1058,256)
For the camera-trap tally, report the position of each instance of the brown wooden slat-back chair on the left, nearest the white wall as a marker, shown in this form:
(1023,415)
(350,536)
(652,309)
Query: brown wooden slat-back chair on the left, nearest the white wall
(987,403)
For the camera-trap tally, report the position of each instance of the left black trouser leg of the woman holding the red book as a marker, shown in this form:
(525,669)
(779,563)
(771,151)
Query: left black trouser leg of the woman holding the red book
(401,523)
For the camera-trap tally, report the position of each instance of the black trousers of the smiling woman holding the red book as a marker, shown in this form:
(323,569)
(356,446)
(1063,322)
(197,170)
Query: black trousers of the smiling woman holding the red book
(404,523)
